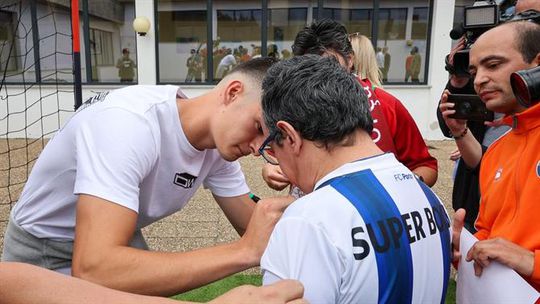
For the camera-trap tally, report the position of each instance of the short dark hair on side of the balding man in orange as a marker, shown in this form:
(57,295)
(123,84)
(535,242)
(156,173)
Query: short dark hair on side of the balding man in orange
(527,39)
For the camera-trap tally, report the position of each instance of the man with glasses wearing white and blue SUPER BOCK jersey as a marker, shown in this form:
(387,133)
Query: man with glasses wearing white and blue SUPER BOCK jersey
(368,231)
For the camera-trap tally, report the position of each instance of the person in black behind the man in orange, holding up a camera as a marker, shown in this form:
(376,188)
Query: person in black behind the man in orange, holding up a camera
(472,137)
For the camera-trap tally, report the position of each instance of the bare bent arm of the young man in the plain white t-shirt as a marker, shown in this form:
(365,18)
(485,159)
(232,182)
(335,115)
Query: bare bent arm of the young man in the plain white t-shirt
(102,255)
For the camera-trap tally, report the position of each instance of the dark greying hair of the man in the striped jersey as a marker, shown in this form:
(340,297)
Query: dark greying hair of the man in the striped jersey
(318,97)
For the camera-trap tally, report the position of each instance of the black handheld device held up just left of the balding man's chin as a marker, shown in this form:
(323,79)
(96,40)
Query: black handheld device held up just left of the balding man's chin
(470,107)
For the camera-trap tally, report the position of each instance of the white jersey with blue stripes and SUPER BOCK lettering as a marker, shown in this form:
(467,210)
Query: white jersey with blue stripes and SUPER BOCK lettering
(369,233)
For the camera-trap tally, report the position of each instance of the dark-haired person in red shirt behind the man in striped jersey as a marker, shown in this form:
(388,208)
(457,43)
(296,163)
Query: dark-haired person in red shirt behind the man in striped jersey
(394,129)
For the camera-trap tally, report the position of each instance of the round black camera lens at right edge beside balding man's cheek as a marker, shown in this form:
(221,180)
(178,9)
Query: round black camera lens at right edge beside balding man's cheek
(526,86)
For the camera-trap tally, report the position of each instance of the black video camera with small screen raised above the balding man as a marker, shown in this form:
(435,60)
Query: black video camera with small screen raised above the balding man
(477,19)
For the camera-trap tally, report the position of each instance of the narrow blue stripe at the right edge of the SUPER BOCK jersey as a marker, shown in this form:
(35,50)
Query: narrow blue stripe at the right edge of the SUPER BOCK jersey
(444,235)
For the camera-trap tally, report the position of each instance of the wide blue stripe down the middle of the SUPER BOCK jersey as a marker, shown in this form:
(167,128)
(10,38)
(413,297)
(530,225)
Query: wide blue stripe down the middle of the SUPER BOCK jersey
(374,204)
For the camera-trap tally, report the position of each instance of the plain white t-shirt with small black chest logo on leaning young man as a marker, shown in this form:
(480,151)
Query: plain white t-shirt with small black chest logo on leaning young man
(126,146)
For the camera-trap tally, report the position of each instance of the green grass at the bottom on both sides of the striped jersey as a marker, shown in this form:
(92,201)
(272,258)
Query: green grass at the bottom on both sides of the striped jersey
(211,291)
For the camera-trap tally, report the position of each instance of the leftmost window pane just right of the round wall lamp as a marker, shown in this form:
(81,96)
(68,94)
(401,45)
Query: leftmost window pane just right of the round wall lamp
(182,36)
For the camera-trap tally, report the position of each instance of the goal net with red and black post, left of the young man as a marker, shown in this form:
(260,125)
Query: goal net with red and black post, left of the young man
(40,85)
